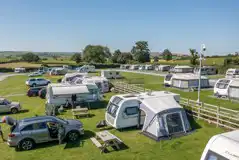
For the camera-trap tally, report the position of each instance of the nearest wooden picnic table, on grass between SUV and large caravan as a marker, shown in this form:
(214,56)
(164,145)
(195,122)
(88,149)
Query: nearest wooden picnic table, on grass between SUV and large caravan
(107,140)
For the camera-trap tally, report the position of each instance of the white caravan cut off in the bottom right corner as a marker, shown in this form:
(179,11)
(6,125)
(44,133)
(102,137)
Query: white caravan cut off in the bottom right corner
(222,147)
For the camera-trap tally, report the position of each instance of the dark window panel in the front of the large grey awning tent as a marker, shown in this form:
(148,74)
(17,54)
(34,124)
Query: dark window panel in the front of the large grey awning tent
(174,123)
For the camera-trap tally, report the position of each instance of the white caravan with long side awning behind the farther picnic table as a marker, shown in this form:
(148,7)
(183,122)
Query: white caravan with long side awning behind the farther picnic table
(58,94)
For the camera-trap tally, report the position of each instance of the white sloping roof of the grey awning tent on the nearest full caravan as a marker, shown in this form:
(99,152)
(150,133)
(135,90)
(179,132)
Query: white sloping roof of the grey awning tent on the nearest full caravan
(159,104)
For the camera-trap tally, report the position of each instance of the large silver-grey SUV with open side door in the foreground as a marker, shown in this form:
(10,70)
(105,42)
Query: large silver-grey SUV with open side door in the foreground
(27,132)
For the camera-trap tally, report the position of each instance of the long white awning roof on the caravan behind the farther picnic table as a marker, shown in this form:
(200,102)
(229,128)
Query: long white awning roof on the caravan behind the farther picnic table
(73,89)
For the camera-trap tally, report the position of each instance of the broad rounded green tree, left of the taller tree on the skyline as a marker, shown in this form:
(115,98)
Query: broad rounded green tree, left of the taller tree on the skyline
(96,53)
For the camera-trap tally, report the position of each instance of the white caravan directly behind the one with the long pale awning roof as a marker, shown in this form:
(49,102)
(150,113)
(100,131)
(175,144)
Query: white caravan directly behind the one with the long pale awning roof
(101,82)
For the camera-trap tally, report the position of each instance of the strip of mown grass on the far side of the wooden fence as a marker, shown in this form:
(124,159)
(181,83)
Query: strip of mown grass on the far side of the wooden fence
(156,83)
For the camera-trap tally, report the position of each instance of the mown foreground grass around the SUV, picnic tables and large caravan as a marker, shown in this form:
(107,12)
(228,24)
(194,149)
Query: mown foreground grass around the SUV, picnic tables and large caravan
(139,146)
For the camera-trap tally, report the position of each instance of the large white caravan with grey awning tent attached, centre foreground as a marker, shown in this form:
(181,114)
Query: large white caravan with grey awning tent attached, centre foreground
(159,112)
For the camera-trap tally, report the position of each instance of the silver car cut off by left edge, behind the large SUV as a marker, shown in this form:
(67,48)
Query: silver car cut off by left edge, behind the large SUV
(8,106)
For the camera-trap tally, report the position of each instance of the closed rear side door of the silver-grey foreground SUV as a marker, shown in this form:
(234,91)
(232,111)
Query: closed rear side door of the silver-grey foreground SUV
(40,132)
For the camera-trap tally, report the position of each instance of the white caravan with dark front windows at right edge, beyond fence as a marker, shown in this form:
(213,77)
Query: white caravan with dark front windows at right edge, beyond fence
(222,86)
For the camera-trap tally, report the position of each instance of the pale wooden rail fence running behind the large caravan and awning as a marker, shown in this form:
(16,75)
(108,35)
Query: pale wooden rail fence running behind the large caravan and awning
(221,116)
